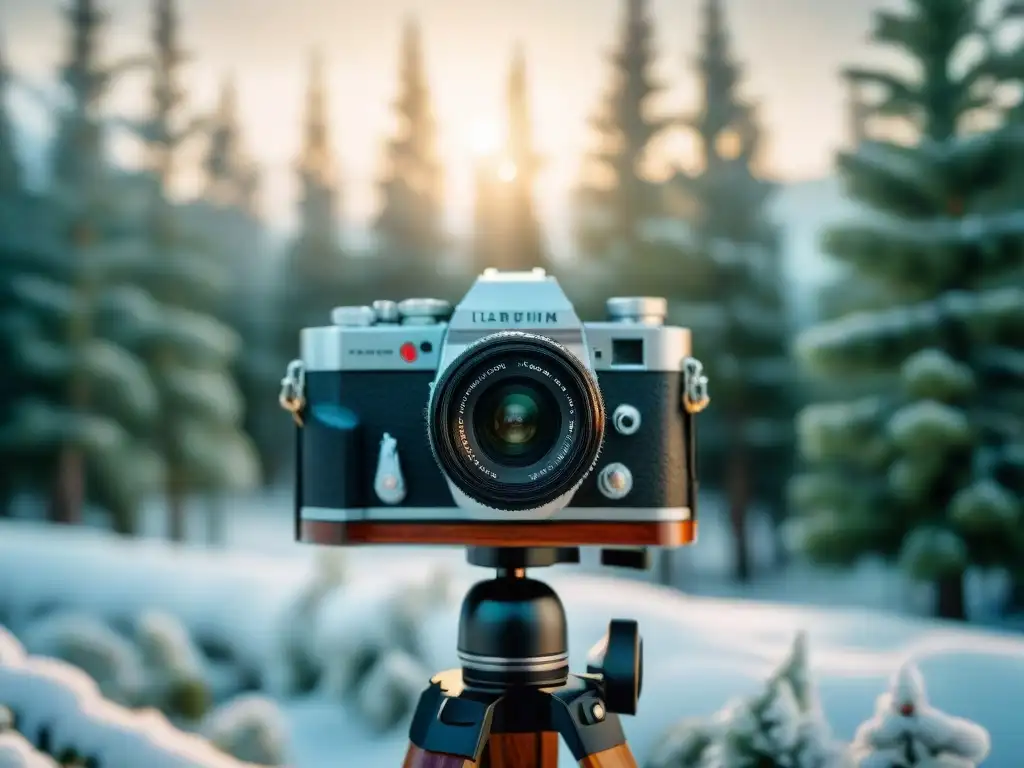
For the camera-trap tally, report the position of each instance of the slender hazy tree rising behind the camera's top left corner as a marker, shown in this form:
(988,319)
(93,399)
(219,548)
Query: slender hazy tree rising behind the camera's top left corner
(317,277)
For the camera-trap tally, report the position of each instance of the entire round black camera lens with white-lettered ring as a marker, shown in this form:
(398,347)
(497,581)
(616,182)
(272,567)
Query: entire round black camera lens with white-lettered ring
(517,421)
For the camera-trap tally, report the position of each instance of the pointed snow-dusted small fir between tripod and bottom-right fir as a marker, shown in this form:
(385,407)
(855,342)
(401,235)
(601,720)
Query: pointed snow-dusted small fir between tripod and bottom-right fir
(781,727)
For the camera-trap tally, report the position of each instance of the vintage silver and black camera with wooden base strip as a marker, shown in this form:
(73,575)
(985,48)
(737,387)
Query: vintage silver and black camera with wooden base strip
(502,422)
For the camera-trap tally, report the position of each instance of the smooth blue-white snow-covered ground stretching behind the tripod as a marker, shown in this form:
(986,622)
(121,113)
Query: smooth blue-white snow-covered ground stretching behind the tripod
(700,653)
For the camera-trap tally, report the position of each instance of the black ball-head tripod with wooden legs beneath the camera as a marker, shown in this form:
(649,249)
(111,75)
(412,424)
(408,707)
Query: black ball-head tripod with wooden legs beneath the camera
(515,697)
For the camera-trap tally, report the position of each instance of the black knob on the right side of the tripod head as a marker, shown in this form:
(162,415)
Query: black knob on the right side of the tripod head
(618,658)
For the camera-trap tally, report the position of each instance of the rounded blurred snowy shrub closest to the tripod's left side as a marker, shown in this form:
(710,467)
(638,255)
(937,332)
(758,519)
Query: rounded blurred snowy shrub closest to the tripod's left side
(390,692)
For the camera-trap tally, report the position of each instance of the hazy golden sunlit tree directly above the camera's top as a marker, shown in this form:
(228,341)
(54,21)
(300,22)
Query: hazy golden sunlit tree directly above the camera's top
(507,234)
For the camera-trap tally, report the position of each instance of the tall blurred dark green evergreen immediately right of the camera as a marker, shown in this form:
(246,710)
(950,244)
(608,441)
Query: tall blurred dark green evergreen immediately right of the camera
(735,287)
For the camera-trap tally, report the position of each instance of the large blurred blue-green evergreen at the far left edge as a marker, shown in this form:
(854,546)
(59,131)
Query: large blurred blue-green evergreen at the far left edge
(83,396)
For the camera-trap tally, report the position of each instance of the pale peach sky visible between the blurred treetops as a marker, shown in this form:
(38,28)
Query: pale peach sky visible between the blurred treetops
(793,51)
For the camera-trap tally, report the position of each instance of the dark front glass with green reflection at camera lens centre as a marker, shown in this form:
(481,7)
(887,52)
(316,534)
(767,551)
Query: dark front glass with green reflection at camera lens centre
(518,422)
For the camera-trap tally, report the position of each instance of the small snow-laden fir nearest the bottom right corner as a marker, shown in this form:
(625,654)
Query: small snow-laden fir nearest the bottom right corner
(908,733)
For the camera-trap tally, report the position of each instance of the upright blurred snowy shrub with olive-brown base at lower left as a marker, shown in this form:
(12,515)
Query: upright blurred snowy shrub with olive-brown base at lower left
(175,669)
